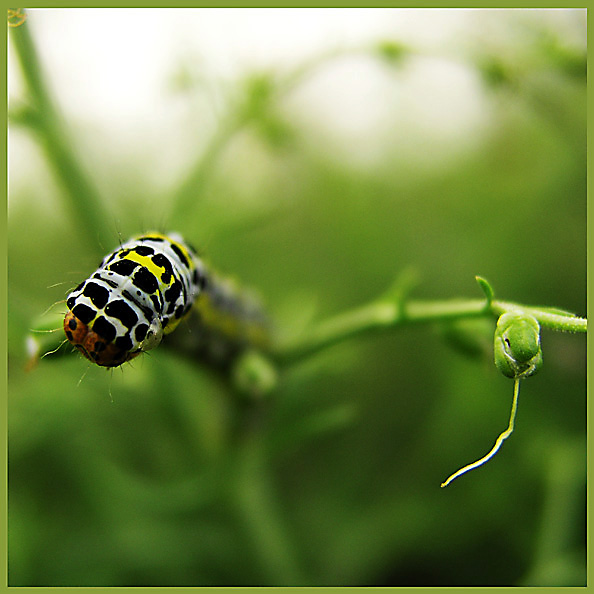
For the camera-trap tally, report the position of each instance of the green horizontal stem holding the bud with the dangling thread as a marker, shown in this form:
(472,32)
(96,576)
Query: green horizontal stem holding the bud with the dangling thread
(381,315)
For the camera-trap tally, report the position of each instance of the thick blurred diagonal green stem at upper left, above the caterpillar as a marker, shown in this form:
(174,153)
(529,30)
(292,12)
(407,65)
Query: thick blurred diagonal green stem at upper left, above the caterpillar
(42,116)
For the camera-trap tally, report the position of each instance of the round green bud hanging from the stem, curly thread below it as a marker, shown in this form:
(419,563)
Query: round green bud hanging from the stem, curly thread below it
(517,345)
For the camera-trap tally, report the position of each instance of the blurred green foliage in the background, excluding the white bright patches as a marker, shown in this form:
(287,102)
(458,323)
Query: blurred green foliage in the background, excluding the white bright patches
(157,475)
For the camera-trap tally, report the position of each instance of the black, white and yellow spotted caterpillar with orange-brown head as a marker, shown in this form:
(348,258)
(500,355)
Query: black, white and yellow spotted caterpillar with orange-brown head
(144,289)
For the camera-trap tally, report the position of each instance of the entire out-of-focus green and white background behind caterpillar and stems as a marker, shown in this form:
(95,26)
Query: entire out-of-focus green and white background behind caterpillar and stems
(313,154)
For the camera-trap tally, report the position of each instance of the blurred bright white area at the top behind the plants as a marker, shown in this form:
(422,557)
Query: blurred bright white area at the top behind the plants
(152,83)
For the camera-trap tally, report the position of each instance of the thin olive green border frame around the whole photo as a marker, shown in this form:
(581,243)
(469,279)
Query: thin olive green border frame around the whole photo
(4,269)
